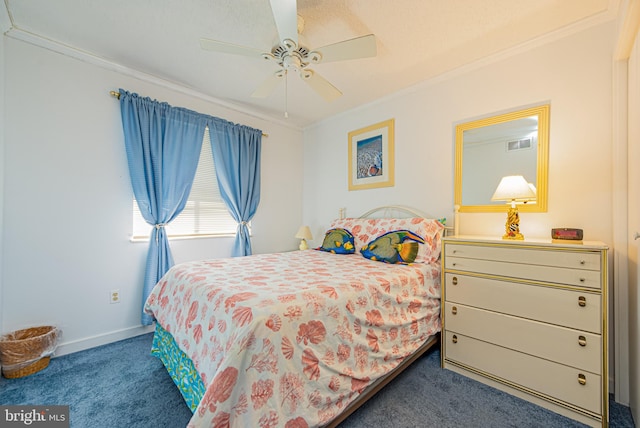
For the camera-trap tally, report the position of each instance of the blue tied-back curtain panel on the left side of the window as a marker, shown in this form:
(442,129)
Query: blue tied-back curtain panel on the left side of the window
(163,146)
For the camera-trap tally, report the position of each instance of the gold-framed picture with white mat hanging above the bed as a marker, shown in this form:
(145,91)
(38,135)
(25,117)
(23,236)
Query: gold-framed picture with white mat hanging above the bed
(371,156)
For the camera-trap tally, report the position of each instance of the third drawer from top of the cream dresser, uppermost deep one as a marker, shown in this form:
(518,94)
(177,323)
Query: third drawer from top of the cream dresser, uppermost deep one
(546,304)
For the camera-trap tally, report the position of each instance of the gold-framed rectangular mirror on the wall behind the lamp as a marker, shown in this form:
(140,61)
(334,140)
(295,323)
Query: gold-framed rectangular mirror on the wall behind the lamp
(514,143)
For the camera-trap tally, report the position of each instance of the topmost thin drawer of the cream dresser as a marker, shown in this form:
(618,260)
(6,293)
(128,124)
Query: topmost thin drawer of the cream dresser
(566,259)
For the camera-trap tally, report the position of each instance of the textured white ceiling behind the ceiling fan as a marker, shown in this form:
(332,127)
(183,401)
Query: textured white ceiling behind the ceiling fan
(416,40)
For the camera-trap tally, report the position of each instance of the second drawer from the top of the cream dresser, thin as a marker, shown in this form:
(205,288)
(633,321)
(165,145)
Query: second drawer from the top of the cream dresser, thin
(550,274)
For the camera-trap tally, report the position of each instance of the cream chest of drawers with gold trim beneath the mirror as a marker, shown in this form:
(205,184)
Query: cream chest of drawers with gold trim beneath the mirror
(529,318)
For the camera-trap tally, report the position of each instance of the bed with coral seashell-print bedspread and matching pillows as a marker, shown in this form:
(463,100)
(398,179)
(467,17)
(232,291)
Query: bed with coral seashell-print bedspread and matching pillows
(301,338)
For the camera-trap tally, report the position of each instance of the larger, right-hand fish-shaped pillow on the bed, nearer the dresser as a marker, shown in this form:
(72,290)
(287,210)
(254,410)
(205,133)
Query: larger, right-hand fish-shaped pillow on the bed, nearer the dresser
(395,247)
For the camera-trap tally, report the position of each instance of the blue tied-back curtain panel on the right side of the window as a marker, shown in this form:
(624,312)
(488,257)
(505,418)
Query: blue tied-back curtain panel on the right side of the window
(236,155)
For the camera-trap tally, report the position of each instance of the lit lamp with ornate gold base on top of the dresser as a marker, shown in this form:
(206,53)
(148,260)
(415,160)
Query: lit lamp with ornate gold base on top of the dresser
(514,189)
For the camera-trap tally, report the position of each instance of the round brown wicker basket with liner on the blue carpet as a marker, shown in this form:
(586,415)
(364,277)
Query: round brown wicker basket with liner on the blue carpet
(27,351)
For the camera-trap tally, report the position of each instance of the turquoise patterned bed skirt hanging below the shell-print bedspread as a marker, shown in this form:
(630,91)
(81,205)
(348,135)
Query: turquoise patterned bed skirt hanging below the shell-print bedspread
(179,366)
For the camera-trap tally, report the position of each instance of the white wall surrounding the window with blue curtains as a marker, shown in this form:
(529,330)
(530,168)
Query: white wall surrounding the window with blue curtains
(67,195)
